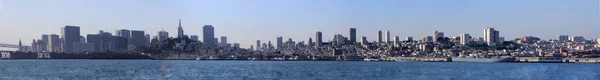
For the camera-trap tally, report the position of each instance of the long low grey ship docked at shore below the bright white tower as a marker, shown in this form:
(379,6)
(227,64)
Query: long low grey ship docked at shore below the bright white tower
(477,59)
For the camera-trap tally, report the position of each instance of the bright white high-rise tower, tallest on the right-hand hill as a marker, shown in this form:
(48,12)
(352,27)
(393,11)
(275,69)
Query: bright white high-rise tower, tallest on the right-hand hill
(491,36)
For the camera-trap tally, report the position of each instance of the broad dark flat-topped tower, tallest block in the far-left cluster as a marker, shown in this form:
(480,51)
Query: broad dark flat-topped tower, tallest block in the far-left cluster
(70,34)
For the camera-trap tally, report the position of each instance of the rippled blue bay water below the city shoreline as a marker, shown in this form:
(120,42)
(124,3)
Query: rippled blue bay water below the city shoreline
(297,70)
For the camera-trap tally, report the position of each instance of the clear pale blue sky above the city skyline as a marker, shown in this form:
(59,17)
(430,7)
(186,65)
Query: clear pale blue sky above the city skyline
(245,21)
